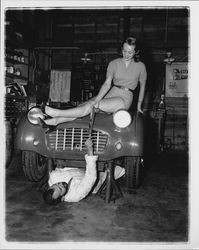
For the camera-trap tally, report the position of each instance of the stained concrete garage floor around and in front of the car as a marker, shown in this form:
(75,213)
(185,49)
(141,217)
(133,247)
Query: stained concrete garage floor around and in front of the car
(158,212)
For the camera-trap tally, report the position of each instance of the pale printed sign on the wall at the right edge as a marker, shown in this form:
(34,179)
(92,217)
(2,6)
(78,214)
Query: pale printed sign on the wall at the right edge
(177,80)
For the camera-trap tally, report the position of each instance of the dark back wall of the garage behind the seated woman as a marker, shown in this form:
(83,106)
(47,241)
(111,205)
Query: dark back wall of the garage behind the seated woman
(83,41)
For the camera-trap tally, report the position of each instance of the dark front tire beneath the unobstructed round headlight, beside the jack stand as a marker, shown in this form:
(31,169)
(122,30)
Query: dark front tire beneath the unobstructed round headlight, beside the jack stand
(133,172)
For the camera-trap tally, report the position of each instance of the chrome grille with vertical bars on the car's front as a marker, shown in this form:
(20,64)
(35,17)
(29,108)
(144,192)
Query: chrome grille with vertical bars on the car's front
(70,139)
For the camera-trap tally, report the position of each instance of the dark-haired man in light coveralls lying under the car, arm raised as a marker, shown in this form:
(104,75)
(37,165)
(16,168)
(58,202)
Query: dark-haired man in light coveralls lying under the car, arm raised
(73,184)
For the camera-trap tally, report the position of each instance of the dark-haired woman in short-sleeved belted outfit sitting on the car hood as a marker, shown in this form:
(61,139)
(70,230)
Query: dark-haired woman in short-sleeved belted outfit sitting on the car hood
(125,73)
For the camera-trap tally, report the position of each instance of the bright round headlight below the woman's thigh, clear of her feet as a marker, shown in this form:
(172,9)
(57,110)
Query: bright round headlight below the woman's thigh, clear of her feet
(122,118)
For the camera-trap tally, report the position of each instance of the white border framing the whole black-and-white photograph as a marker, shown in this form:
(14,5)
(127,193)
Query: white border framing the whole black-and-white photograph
(193,124)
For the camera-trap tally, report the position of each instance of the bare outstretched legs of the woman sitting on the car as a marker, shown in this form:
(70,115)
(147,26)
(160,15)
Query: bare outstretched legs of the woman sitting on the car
(108,105)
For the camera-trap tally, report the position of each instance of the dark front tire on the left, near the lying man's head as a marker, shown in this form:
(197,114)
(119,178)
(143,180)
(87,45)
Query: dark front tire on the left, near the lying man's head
(34,165)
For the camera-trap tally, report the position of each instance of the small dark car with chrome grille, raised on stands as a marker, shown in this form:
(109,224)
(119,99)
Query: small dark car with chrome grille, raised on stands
(117,138)
